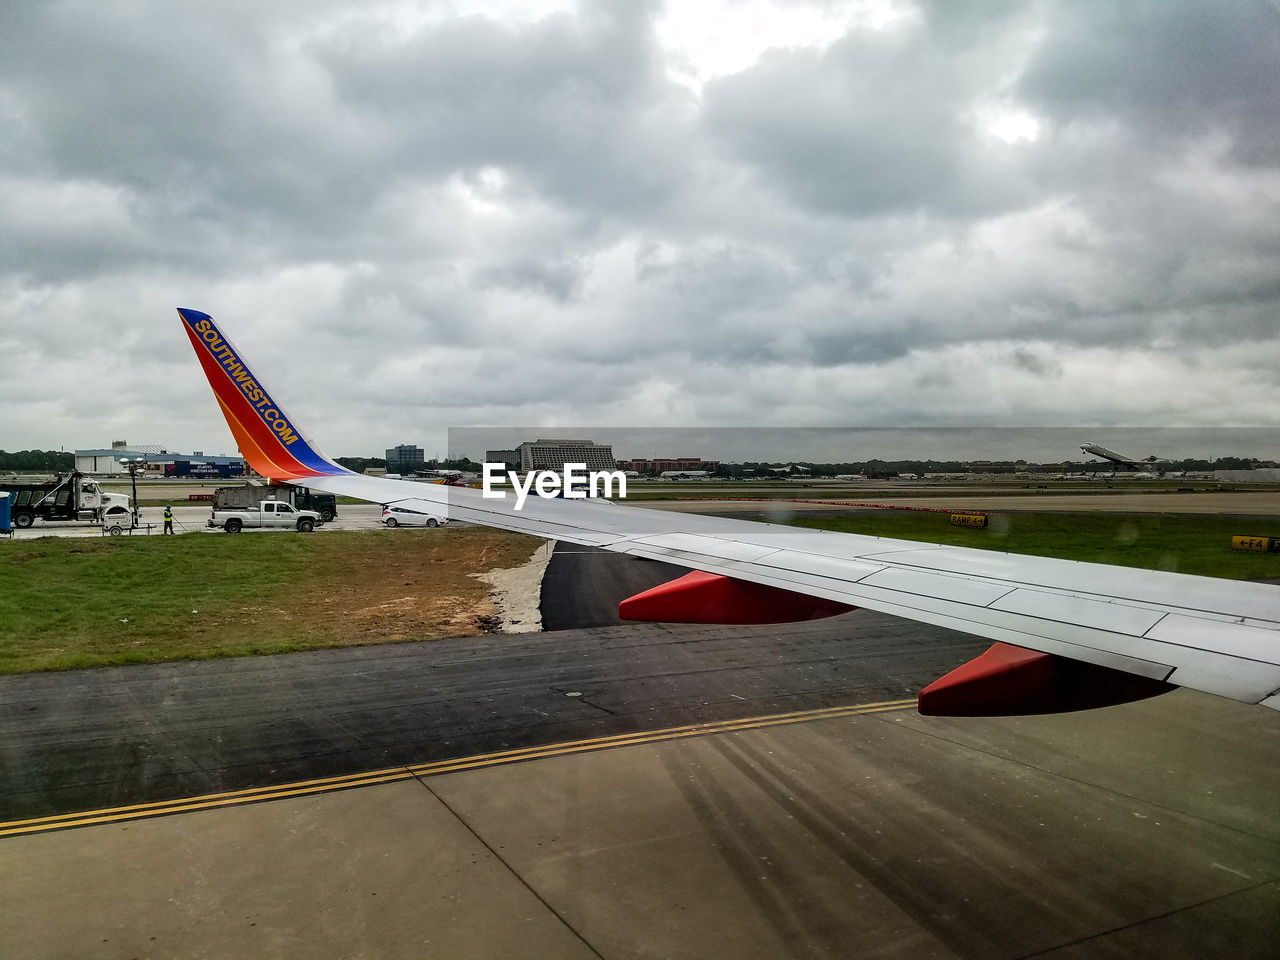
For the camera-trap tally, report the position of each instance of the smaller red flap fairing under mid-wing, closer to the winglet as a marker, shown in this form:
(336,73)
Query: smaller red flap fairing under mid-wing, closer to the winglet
(710,598)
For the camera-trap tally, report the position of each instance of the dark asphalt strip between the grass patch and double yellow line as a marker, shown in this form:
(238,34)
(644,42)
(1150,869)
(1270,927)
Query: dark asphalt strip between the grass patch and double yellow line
(92,739)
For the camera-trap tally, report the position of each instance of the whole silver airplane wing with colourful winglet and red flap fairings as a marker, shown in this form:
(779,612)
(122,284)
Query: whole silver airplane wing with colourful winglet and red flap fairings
(1068,636)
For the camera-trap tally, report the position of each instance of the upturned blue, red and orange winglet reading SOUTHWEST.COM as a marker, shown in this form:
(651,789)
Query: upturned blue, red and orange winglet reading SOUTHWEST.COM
(269,440)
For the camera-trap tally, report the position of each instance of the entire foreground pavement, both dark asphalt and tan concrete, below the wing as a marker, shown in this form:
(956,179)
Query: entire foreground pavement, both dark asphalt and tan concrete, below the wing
(506,797)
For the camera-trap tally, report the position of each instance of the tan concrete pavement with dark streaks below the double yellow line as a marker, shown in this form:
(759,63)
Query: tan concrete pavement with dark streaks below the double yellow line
(1142,831)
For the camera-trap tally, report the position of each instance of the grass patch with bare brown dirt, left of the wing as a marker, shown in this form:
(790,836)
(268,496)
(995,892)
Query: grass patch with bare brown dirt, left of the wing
(83,604)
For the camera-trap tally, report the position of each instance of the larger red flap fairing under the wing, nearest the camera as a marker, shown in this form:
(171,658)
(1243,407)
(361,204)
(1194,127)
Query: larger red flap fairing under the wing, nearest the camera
(1009,682)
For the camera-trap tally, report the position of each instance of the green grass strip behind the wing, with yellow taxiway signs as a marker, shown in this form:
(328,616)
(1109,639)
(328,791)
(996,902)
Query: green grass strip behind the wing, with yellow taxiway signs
(1187,545)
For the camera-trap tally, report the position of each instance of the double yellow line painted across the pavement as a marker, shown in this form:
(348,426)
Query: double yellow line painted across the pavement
(212,802)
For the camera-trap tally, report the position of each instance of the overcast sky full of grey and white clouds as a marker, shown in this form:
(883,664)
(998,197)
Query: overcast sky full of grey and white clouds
(427,216)
